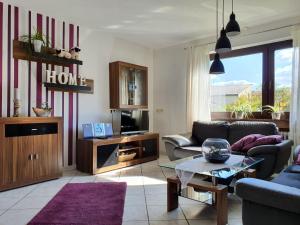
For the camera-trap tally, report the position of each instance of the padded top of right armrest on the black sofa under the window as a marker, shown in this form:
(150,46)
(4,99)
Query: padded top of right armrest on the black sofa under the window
(271,149)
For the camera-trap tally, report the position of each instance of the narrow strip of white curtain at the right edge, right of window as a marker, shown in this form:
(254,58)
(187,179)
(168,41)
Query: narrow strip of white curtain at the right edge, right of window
(295,99)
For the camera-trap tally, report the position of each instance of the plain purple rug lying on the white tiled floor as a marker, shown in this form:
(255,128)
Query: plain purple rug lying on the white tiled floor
(84,204)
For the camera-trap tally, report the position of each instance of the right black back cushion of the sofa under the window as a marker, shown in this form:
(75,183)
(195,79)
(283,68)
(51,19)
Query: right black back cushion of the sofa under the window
(240,129)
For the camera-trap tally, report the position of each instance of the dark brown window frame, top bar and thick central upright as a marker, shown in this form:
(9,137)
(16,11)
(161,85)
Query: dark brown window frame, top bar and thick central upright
(268,70)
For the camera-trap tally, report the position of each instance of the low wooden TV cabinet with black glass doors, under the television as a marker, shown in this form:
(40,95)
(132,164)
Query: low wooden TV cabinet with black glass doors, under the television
(102,155)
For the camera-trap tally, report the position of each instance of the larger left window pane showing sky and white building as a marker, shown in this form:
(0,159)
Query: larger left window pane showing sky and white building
(241,84)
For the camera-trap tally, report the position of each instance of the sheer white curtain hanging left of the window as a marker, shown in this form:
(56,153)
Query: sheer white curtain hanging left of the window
(198,85)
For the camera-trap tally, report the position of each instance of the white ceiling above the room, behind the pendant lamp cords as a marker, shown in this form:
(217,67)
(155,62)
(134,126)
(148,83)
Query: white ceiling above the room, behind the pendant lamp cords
(161,23)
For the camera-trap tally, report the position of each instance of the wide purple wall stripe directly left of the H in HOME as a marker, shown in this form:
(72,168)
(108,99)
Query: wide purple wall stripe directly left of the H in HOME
(39,24)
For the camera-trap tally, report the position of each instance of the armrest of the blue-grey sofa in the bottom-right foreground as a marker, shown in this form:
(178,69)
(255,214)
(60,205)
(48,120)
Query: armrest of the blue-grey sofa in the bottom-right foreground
(269,194)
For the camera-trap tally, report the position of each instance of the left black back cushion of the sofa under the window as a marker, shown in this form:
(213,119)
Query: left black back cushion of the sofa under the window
(214,129)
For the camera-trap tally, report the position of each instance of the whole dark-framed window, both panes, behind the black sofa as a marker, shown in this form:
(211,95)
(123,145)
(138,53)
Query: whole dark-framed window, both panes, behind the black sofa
(255,76)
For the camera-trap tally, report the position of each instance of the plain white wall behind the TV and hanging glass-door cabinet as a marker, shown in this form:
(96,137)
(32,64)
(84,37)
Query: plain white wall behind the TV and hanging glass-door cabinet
(98,49)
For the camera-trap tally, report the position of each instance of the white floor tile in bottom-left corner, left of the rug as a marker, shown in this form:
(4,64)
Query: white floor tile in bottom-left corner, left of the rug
(17,217)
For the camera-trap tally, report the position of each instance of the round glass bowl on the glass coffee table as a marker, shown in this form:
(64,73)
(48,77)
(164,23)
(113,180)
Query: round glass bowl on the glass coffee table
(216,150)
